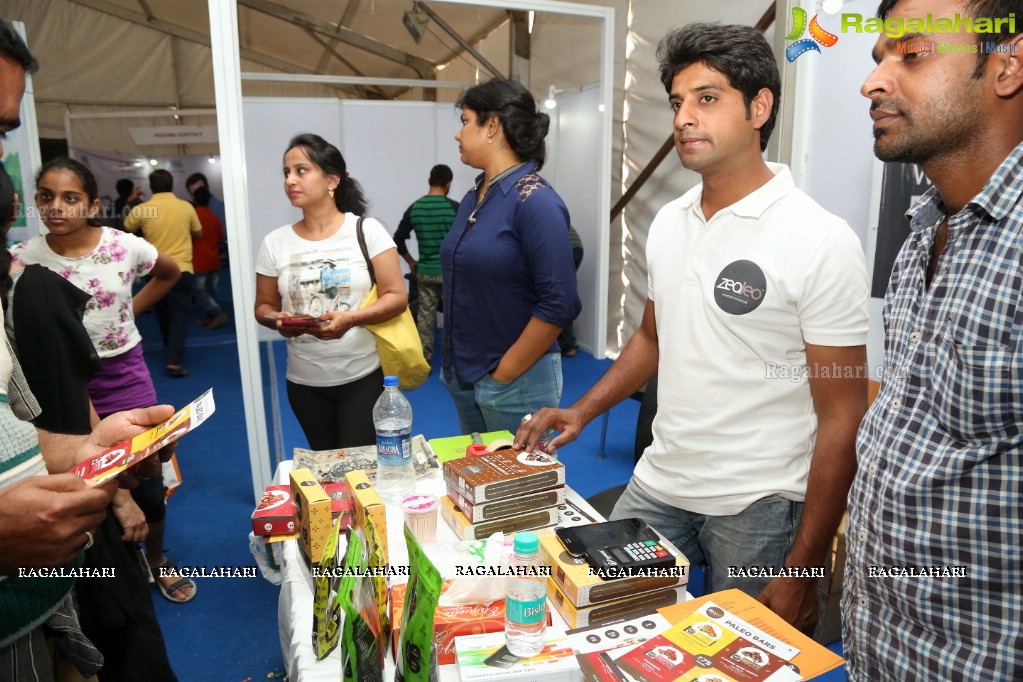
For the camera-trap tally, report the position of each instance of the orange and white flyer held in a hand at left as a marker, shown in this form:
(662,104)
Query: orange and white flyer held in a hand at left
(116,461)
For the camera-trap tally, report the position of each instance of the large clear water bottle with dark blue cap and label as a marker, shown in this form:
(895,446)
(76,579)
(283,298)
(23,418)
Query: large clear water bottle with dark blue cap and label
(393,423)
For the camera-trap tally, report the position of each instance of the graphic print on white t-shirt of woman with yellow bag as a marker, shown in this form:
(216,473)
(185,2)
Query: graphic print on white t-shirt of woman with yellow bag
(319,284)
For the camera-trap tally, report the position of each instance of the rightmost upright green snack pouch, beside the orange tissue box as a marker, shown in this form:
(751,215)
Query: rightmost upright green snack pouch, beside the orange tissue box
(417,658)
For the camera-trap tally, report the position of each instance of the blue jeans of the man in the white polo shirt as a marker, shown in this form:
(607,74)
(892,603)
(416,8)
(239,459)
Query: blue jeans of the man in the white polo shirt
(760,536)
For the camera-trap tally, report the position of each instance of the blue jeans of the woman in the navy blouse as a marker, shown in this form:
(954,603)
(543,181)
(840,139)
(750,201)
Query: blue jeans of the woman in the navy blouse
(492,406)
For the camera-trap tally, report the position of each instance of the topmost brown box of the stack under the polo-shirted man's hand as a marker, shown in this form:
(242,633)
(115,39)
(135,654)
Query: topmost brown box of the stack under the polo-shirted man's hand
(503,475)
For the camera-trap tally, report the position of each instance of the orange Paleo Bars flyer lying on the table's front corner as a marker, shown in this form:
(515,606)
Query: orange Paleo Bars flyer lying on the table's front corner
(728,638)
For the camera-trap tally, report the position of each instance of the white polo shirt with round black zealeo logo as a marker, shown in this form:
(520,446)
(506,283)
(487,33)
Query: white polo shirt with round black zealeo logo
(737,299)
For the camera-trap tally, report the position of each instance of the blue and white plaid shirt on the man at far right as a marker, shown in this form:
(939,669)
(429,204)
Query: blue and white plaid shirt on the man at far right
(940,486)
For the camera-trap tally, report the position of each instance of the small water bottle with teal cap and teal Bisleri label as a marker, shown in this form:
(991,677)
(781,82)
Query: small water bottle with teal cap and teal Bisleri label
(526,601)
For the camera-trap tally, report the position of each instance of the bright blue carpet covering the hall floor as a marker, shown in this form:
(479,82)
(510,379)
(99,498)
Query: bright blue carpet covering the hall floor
(230,631)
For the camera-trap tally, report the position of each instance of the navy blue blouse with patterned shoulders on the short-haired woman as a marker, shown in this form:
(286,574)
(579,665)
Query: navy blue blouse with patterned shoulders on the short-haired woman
(512,263)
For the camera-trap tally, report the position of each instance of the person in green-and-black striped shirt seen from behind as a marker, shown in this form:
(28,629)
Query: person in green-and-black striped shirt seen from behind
(431,217)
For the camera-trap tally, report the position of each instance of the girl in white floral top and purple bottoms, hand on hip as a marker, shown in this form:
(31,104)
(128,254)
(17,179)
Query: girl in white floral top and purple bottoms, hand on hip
(106,262)
